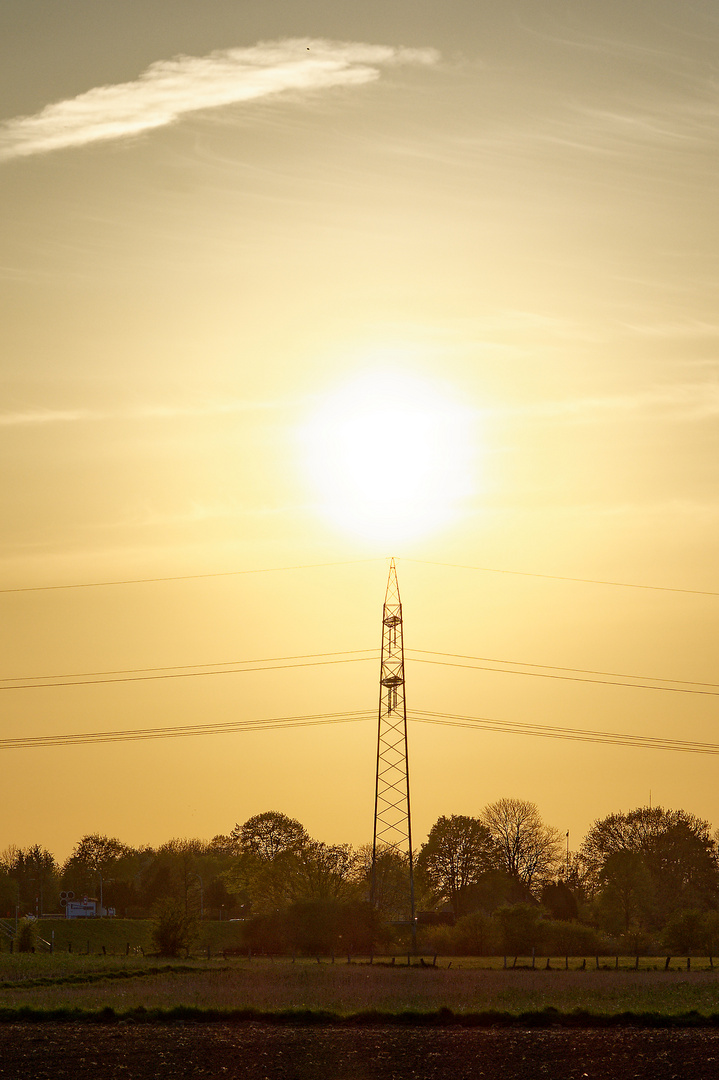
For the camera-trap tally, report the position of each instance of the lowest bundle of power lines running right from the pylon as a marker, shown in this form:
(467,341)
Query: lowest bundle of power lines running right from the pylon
(575,735)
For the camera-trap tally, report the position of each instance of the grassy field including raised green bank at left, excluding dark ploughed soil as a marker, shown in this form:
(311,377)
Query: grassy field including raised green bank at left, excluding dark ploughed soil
(101,966)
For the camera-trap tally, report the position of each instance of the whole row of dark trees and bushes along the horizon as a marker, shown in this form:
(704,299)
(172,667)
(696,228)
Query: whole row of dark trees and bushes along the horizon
(501,882)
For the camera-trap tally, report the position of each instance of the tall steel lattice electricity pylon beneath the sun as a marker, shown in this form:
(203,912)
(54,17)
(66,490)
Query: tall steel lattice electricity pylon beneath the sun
(394,830)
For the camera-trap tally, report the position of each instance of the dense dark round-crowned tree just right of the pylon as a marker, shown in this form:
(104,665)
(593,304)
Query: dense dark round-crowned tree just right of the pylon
(458,852)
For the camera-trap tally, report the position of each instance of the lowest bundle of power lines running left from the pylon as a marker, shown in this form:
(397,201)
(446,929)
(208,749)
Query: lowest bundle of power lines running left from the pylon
(135,735)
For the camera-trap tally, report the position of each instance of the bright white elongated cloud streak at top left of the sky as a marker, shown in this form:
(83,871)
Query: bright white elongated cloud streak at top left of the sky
(170,89)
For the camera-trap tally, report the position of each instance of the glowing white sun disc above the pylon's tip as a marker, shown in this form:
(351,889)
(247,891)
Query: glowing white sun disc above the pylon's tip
(391,457)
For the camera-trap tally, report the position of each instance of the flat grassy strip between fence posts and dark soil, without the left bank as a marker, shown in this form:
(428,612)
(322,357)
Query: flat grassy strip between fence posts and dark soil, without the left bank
(124,984)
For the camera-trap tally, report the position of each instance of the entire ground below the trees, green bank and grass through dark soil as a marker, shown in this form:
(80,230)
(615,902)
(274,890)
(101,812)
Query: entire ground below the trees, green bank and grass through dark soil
(84,1015)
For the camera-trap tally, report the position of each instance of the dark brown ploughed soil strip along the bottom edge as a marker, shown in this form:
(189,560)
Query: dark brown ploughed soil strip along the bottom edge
(148,1052)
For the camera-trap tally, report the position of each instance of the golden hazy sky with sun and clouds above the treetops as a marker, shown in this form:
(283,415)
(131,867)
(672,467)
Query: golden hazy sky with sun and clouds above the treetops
(290,290)
